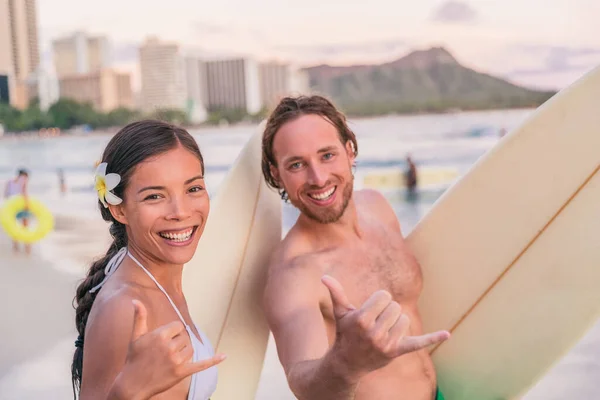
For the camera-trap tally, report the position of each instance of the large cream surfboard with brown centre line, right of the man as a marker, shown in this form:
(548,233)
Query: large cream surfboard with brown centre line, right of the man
(511,253)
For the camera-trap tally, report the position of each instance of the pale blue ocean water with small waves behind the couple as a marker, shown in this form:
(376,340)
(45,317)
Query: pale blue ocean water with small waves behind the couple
(445,141)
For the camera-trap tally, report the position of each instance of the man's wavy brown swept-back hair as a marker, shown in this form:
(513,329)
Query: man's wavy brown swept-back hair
(290,108)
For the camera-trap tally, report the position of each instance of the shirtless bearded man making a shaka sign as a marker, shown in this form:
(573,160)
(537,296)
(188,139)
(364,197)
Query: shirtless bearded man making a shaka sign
(342,291)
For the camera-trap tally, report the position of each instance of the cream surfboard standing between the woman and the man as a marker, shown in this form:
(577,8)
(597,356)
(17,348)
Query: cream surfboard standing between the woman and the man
(224,281)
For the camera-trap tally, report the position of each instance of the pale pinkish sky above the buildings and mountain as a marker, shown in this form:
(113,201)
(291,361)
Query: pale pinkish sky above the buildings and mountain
(544,44)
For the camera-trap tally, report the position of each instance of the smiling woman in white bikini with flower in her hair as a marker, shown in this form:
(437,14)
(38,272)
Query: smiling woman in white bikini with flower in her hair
(136,337)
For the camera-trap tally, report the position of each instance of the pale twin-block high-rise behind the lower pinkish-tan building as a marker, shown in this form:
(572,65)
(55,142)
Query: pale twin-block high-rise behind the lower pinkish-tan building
(80,54)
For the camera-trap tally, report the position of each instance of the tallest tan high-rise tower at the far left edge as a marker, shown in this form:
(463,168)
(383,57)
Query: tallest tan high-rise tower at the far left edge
(19,49)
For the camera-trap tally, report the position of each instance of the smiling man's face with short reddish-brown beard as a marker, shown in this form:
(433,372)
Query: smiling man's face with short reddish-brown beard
(314,167)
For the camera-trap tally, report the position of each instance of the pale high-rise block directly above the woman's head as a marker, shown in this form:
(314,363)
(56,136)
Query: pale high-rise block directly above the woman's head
(163,76)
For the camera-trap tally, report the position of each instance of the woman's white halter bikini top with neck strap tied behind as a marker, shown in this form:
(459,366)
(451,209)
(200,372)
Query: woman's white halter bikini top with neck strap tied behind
(204,383)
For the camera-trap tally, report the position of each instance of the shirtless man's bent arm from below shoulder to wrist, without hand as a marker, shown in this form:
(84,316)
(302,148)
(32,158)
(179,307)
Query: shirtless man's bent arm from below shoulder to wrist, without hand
(292,306)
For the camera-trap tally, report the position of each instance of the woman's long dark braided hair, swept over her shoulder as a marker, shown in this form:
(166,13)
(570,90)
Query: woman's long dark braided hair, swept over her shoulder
(132,145)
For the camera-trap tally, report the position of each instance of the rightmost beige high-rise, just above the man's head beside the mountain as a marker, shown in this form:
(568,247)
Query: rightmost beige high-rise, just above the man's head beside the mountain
(280,79)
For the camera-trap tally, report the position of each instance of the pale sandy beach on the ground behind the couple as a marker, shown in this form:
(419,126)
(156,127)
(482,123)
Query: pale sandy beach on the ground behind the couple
(38,324)
